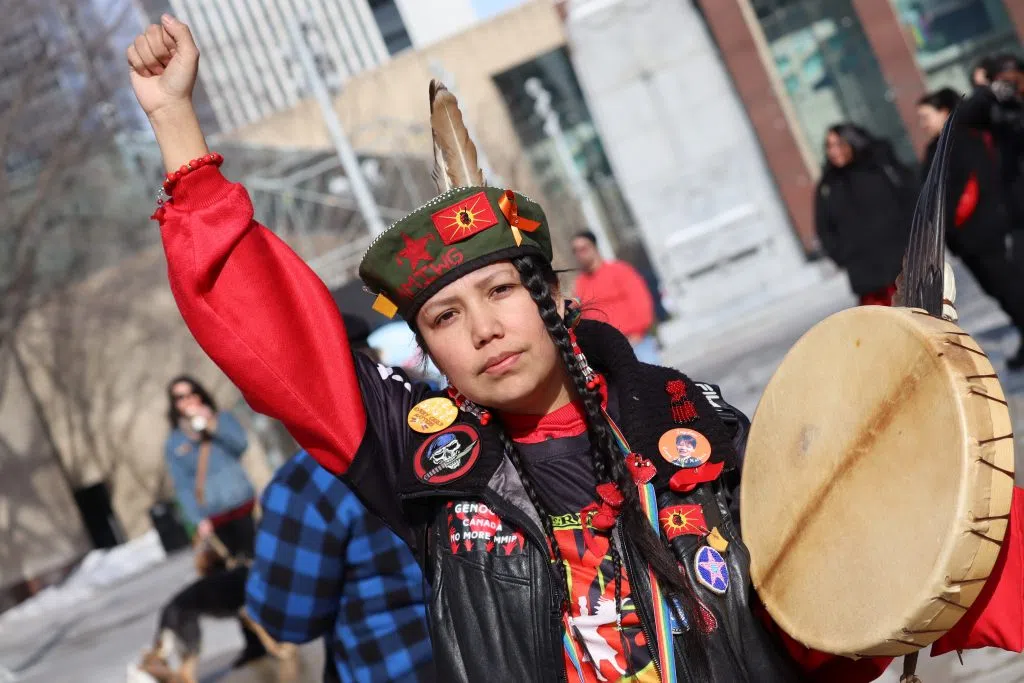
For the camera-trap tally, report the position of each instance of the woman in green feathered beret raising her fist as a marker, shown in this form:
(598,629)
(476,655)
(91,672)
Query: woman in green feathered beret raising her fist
(559,541)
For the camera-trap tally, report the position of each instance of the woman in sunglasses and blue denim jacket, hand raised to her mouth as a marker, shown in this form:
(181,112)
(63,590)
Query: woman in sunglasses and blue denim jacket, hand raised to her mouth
(203,454)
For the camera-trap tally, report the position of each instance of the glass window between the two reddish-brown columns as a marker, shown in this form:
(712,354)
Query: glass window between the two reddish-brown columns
(830,73)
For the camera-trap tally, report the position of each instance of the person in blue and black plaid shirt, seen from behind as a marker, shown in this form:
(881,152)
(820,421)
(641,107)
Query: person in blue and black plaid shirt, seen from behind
(327,568)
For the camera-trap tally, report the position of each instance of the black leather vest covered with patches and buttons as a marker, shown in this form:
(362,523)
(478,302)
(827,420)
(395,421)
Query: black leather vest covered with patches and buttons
(496,616)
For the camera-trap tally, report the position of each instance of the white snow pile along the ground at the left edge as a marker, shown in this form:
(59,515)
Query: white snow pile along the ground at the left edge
(100,570)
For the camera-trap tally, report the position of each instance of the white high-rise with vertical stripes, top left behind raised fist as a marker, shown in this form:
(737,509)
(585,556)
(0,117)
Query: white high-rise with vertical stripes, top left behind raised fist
(251,70)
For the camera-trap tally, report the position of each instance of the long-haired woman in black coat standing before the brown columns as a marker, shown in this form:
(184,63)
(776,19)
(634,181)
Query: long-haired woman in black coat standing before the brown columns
(864,206)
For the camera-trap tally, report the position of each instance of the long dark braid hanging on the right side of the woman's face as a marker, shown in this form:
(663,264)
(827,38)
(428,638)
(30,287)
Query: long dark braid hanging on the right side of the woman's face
(610,465)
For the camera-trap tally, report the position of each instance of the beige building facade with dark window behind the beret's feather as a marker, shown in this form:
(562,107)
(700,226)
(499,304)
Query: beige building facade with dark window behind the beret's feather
(385,110)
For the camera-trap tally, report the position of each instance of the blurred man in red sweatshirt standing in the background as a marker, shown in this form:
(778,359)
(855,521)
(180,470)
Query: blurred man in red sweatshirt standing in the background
(613,291)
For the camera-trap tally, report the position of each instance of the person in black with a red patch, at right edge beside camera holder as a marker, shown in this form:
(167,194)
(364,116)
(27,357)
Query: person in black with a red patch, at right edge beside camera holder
(979,222)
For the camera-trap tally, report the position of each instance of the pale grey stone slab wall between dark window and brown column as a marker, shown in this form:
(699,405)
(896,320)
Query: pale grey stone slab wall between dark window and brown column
(689,162)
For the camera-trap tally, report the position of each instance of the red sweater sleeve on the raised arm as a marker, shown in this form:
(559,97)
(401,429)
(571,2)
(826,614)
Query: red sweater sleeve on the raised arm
(263,316)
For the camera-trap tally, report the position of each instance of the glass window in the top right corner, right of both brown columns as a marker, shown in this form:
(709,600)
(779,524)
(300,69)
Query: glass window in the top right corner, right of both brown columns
(950,37)
